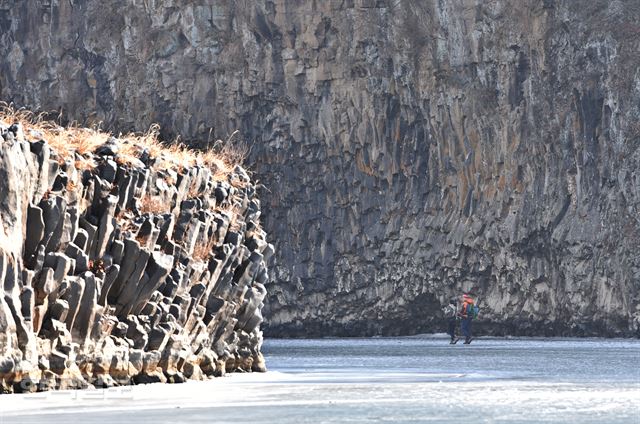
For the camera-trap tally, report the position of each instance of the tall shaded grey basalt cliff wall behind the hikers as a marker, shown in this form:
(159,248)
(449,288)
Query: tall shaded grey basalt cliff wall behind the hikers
(411,149)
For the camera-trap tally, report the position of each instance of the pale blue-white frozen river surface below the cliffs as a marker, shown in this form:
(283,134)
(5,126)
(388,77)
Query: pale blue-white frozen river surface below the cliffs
(414,379)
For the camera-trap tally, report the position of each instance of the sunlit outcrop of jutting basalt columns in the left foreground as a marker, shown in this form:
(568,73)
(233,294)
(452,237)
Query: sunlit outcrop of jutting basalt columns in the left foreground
(123,262)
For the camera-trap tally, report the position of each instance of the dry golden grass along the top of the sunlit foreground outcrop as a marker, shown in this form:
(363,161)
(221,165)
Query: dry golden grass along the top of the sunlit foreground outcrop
(77,144)
